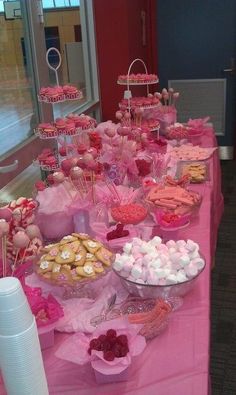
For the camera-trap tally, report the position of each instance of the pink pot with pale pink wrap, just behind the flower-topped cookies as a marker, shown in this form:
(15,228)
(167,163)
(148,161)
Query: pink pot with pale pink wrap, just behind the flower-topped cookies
(53,217)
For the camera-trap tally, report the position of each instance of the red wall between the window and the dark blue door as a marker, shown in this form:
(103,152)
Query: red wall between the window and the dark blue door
(119,41)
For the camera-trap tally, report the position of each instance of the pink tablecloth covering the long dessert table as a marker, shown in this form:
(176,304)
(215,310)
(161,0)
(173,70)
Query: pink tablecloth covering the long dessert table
(177,361)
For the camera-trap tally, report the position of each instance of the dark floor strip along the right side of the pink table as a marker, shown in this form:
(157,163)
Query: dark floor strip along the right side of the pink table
(223,305)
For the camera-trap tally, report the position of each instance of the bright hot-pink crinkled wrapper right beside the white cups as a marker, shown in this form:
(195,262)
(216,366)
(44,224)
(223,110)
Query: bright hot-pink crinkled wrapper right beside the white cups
(46,310)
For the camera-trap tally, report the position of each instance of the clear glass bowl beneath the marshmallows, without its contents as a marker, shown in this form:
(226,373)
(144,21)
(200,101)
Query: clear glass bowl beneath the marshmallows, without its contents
(159,291)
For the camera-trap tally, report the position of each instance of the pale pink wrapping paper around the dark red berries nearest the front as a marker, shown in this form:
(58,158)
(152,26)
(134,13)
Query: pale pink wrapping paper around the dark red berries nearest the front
(75,348)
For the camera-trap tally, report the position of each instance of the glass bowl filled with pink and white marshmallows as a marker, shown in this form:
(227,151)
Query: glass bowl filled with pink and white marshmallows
(155,269)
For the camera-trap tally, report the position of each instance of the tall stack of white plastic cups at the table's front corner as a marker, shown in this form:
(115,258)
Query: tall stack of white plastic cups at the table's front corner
(20,354)
